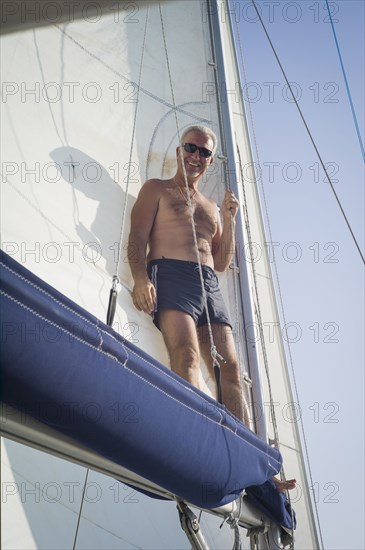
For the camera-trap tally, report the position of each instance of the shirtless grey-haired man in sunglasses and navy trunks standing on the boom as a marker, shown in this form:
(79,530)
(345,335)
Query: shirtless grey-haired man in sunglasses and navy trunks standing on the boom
(167,280)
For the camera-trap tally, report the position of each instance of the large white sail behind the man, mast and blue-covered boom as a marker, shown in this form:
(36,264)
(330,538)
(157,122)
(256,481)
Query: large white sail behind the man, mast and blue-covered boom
(71,171)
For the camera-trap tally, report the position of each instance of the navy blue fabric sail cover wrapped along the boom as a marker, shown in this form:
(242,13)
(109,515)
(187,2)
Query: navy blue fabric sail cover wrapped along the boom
(72,372)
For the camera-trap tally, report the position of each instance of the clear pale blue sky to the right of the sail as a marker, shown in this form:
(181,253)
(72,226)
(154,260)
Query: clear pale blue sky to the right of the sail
(320,270)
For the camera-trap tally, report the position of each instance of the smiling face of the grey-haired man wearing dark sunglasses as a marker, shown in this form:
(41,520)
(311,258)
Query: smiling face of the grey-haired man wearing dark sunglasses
(196,163)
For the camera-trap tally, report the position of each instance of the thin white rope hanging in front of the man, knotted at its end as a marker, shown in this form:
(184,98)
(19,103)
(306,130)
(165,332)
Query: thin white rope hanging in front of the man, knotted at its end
(213,350)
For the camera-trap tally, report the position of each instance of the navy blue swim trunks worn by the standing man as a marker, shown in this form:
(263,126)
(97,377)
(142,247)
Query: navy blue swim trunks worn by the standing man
(178,286)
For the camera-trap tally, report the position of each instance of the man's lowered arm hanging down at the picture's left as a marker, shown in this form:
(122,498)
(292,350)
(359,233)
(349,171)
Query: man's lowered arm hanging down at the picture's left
(142,219)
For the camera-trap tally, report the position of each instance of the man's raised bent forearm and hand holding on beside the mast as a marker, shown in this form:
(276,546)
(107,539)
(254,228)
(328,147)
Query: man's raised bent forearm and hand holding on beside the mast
(223,245)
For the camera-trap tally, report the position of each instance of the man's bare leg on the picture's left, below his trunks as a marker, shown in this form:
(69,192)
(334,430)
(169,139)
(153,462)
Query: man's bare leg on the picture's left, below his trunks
(181,340)
